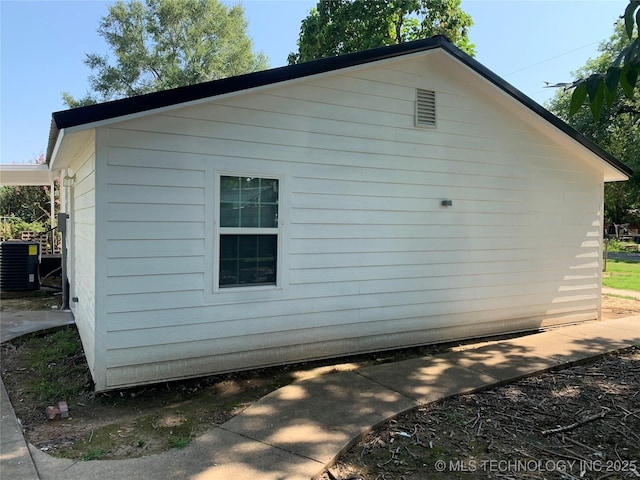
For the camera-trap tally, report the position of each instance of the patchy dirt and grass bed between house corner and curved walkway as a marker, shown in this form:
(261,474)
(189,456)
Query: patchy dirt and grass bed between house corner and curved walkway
(42,369)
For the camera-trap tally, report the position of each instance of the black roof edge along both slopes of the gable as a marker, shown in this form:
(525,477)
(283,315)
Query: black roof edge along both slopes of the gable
(85,116)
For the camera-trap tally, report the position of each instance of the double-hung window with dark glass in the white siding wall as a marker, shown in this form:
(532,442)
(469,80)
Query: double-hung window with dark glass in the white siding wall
(248,231)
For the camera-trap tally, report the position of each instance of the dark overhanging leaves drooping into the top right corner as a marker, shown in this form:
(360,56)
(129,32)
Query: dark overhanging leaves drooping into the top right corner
(621,70)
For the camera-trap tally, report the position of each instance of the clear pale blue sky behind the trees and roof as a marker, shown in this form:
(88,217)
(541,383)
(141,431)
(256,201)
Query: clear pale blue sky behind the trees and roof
(43,44)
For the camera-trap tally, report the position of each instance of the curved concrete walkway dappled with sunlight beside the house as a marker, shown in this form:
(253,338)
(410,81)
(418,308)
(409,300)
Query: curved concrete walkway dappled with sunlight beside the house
(296,431)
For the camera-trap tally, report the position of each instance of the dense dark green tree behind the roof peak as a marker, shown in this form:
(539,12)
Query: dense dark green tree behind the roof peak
(336,27)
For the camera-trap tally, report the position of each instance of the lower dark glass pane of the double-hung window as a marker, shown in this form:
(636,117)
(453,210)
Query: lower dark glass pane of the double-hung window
(248,260)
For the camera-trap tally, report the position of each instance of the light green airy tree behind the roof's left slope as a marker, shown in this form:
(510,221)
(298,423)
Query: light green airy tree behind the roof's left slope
(161,44)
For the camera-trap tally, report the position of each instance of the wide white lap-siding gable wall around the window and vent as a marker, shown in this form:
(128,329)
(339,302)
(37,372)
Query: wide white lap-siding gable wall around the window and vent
(372,259)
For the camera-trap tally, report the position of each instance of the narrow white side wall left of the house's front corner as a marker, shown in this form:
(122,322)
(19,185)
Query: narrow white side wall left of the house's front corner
(81,244)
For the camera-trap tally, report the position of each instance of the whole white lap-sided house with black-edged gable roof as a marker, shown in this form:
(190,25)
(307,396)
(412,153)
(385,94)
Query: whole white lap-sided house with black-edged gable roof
(399,196)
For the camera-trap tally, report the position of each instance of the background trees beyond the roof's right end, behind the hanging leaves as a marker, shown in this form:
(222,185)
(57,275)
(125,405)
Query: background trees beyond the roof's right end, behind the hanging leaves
(616,129)
